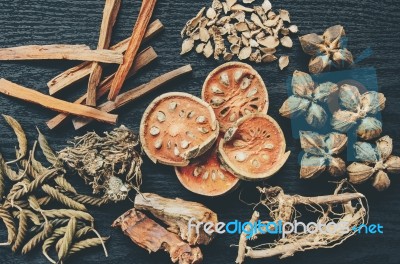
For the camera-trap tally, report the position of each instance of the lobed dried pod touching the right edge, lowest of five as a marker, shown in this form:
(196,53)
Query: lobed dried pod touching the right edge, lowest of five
(375,162)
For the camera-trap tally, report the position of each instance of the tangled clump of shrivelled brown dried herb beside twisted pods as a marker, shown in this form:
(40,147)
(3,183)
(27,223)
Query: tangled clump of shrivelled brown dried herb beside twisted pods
(110,164)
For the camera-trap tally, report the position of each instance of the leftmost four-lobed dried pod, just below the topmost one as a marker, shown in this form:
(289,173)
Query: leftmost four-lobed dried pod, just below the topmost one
(307,99)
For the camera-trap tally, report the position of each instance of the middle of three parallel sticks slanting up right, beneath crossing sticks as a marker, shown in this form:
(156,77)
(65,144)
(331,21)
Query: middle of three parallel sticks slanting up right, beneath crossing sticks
(144,58)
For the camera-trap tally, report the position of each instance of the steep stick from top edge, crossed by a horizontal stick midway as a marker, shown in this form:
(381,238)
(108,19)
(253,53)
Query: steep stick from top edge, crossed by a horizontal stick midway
(110,14)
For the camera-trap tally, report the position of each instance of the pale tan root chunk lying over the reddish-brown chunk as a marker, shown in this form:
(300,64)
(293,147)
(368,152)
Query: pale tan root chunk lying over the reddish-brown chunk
(177,214)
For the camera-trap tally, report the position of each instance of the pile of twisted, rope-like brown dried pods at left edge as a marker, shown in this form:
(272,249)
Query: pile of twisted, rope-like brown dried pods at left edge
(42,208)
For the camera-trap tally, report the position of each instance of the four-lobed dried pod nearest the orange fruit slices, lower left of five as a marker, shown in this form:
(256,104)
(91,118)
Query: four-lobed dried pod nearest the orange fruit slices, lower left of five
(320,154)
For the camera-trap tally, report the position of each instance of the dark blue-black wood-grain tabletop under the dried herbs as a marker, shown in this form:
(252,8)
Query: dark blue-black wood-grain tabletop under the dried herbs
(369,24)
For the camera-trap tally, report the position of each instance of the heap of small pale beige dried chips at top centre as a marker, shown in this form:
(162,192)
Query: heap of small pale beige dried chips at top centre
(230,29)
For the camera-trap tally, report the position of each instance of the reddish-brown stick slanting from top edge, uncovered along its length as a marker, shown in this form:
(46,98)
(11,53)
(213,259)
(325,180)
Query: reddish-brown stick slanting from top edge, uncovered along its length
(139,30)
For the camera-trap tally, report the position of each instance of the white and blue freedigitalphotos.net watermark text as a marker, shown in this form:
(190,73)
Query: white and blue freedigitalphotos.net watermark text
(280,227)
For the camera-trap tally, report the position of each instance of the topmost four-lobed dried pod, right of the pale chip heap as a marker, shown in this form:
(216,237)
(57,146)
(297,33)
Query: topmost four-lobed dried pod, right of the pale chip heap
(327,50)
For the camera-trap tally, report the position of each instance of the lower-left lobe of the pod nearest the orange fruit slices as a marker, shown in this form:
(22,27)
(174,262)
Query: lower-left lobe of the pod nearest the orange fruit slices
(312,166)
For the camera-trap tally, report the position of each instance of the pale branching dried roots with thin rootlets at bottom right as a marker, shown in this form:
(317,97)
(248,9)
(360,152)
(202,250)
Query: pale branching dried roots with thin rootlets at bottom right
(343,207)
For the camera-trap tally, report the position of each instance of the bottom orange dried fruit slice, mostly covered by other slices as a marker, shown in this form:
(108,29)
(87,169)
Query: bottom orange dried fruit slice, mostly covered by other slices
(206,175)
